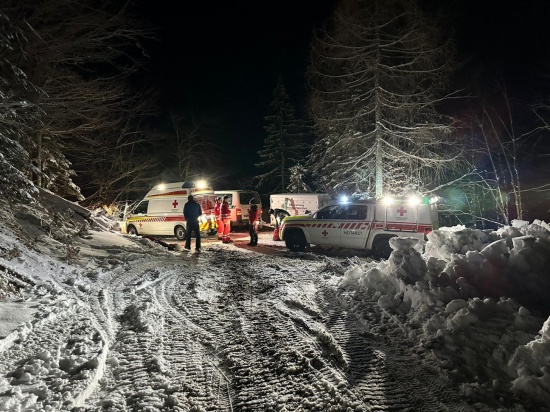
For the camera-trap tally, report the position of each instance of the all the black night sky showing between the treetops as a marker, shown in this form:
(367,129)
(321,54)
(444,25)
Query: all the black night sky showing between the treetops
(222,60)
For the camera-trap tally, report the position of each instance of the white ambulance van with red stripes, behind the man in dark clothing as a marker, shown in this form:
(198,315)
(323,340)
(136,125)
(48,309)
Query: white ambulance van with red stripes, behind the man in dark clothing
(160,213)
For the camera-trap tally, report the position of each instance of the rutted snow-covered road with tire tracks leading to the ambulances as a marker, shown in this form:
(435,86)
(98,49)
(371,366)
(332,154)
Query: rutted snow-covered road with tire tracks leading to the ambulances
(228,329)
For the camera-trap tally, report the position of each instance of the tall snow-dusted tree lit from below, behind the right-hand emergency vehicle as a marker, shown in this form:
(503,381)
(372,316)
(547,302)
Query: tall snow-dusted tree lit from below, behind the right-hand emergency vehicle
(377,74)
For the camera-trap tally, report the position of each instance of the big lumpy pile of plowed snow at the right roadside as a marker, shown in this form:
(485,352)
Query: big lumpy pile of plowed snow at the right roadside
(478,299)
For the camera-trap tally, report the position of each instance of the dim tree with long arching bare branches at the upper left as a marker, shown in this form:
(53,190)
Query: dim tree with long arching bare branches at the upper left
(82,54)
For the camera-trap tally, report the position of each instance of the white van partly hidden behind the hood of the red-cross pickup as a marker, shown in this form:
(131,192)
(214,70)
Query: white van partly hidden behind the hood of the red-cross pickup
(295,204)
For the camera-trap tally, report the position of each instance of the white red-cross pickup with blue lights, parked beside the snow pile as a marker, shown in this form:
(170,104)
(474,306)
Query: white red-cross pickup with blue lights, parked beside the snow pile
(362,224)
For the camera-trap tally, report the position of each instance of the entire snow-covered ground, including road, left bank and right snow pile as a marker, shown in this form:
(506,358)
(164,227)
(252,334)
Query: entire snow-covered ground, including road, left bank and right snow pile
(94,320)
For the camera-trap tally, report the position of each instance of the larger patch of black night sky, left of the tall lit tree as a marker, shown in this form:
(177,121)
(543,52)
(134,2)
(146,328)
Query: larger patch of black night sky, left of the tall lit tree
(223,60)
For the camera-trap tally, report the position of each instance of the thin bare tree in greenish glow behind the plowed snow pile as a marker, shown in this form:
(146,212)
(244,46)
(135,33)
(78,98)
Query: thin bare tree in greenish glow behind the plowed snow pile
(499,148)
